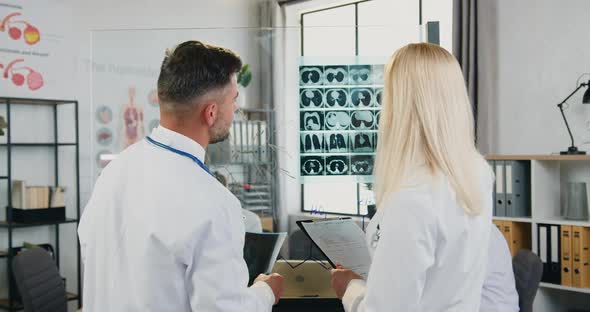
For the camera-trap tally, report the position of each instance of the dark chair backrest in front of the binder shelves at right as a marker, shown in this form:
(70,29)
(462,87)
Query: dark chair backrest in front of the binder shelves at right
(528,270)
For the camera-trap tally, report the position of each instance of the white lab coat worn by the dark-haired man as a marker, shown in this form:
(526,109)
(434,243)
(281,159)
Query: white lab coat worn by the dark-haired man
(160,234)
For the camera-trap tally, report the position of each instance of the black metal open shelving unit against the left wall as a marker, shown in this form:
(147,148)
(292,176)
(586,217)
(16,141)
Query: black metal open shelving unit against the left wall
(57,148)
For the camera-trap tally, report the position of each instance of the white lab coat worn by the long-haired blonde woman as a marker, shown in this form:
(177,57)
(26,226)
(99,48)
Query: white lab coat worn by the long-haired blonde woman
(427,255)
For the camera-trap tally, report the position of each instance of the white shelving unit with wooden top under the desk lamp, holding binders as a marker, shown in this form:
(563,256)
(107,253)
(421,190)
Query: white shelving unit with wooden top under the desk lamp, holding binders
(548,174)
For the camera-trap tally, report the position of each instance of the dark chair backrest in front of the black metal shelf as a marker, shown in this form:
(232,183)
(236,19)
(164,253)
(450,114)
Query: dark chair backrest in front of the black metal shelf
(38,280)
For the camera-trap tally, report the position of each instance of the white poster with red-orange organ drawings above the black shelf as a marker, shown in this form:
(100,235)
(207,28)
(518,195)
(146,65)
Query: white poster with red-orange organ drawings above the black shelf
(36,58)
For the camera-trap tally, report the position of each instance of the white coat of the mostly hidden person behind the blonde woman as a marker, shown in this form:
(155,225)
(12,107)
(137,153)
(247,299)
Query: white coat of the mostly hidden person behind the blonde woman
(499,288)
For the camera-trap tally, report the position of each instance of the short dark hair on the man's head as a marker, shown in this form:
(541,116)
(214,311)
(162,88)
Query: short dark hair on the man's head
(193,69)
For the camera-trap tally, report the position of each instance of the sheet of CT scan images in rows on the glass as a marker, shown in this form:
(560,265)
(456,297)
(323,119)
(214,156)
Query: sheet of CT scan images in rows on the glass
(339,115)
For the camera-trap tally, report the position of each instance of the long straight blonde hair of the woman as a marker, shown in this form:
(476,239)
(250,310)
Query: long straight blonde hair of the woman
(426,117)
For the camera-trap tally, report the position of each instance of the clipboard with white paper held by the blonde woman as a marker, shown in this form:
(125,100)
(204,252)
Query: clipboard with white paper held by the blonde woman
(340,240)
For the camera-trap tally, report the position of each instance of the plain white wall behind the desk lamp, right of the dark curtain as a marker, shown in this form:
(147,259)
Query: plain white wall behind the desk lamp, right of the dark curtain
(542,47)
